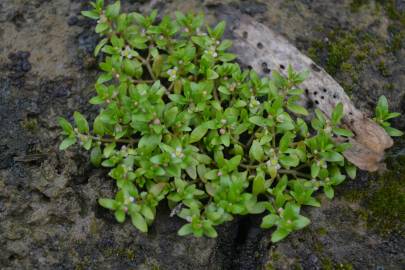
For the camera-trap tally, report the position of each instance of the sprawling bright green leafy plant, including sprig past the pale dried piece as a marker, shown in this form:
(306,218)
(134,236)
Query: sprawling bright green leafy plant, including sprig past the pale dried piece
(180,120)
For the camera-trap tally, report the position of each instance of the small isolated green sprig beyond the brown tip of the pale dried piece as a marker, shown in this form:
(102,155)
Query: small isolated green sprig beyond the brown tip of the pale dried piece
(382,115)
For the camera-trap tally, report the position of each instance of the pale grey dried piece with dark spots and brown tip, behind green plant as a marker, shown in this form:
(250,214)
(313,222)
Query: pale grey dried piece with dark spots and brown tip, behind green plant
(264,50)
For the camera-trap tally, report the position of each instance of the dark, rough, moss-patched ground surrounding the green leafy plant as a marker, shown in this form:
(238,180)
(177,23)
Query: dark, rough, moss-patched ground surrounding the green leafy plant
(49,217)
